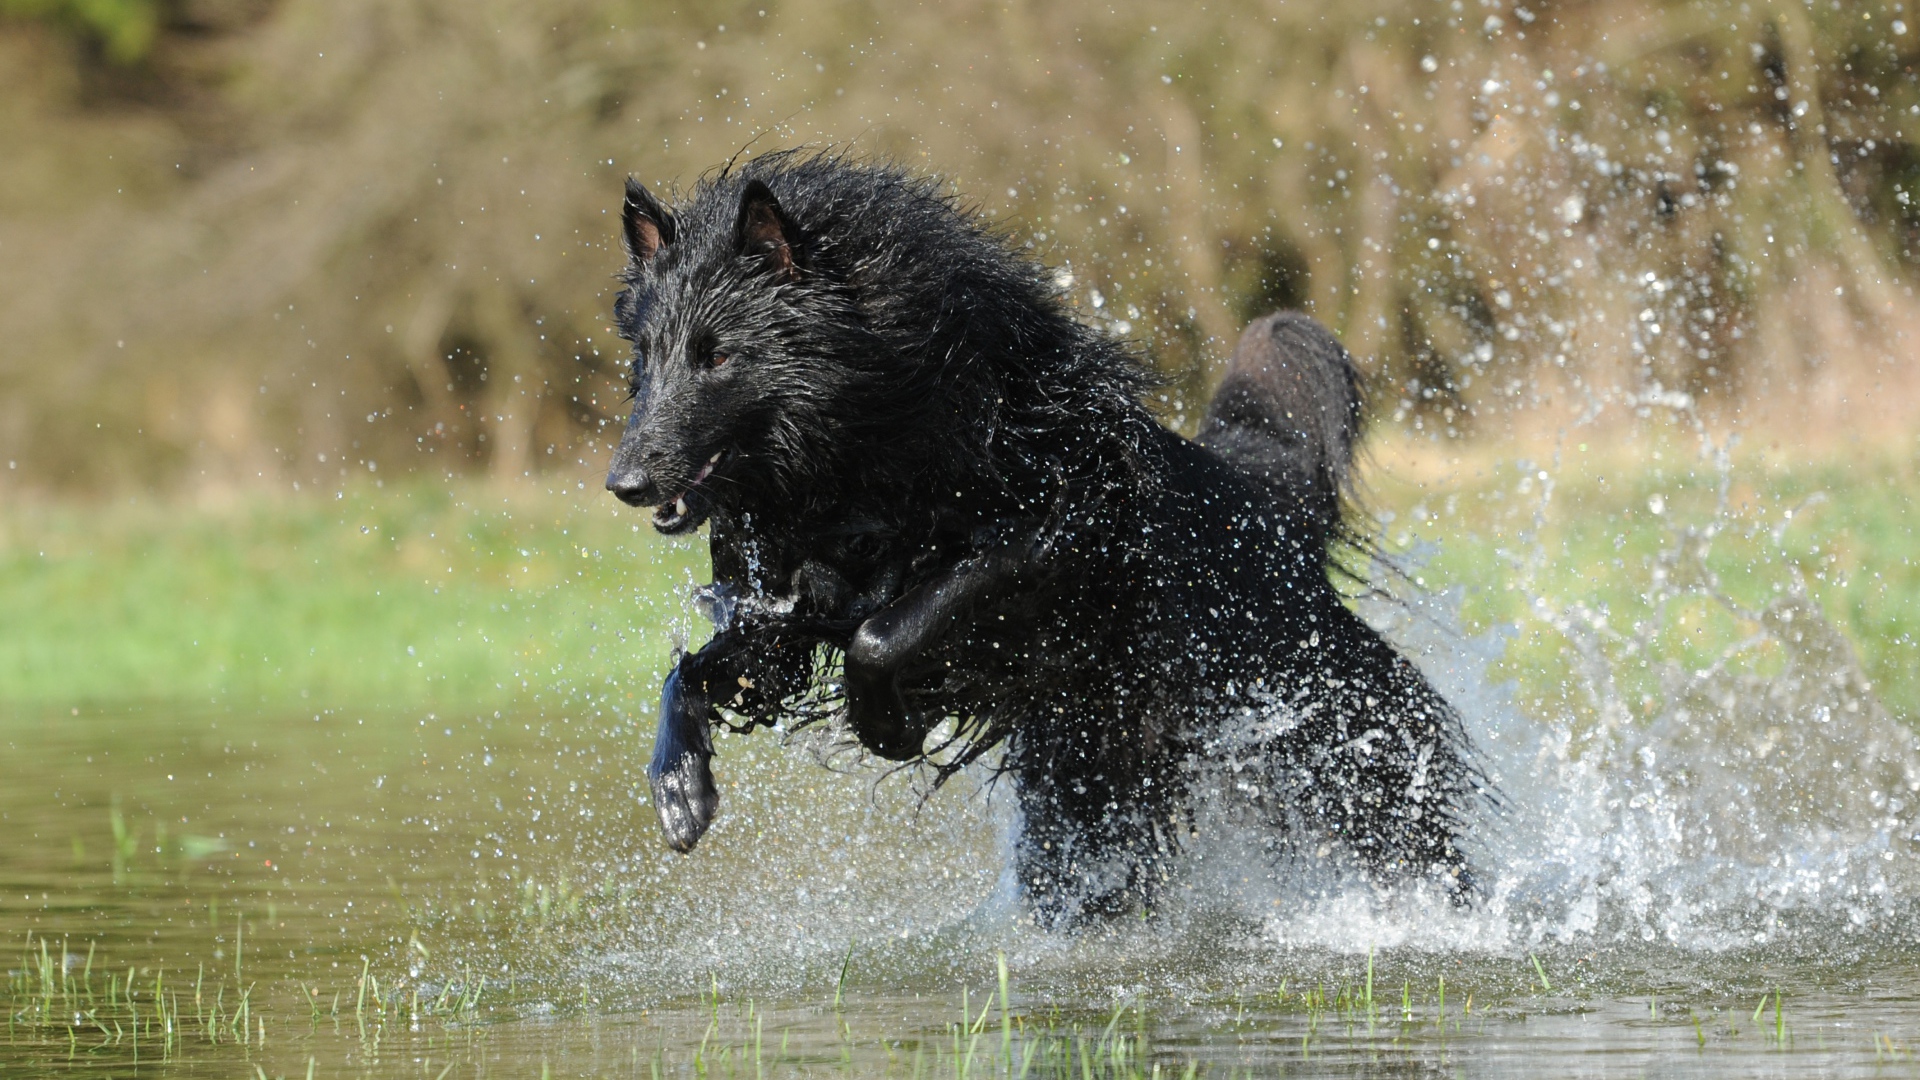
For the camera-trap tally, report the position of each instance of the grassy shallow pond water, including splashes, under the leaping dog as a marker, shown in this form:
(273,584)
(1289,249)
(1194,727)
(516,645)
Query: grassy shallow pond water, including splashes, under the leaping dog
(437,895)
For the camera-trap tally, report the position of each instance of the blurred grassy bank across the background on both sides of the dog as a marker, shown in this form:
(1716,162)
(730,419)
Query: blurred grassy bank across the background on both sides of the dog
(469,597)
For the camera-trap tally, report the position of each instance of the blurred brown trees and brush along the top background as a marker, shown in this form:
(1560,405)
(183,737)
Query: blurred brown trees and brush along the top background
(272,241)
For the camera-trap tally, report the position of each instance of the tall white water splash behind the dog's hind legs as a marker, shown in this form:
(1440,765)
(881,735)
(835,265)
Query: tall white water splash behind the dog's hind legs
(1760,798)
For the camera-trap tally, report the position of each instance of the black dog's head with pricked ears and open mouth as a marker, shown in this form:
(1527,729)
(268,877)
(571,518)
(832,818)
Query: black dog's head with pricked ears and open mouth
(738,353)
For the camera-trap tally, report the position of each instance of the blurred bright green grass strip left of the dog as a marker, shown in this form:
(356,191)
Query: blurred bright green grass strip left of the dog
(383,597)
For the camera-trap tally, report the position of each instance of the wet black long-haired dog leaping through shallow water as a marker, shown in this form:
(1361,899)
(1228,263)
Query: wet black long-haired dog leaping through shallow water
(919,462)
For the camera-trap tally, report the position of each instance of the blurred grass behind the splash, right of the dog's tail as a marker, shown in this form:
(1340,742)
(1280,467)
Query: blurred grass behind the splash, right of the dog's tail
(1669,564)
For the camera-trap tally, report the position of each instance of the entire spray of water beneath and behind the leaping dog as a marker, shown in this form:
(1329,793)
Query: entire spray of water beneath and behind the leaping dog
(1756,798)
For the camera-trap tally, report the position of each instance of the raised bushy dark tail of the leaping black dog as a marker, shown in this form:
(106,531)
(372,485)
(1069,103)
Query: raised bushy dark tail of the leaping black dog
(1289,416)
